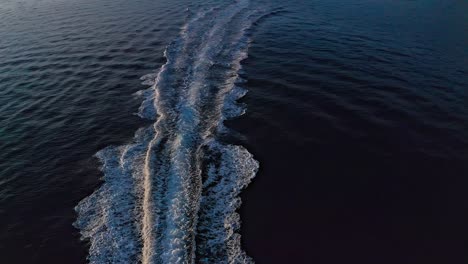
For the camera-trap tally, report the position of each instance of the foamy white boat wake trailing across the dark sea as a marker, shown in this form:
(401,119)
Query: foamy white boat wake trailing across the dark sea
(171,195)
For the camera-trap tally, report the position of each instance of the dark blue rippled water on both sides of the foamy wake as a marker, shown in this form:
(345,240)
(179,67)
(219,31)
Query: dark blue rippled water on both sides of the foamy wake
(357,112)
